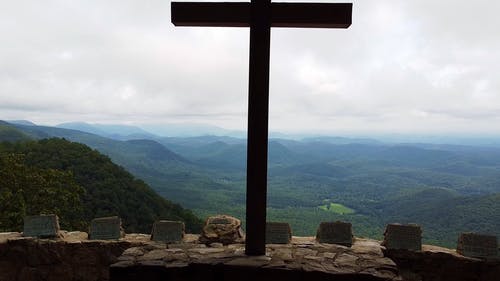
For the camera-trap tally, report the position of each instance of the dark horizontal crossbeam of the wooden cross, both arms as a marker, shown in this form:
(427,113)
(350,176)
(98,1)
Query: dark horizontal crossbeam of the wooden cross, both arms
(237,14)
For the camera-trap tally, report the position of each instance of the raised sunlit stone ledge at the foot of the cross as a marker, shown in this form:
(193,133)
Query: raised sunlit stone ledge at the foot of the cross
(300,260)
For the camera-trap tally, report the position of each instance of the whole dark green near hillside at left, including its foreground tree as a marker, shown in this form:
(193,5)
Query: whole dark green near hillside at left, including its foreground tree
(106,189)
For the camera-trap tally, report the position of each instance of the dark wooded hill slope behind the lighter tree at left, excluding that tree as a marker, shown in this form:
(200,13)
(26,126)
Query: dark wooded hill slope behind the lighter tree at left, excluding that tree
(108,189)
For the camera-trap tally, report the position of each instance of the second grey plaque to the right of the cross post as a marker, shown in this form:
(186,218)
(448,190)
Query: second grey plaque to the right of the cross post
(335,233)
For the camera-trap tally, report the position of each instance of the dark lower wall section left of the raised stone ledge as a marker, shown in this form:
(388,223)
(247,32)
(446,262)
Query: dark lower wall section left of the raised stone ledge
(72,258)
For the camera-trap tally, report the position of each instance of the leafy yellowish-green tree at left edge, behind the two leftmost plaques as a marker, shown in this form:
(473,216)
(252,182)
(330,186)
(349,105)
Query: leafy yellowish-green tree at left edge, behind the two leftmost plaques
(27,190)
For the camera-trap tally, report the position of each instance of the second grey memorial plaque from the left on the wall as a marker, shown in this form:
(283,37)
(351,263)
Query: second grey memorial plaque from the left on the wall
(107,228)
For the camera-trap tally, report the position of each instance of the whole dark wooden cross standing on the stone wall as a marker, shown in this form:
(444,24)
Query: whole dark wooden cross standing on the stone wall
(260,16)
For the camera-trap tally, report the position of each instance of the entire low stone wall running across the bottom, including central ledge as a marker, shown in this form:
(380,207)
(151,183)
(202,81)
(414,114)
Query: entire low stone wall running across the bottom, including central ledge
(75,258)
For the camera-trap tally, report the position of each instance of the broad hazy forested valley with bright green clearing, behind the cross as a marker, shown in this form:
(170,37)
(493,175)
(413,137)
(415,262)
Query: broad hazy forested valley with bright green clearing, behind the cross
(447,189)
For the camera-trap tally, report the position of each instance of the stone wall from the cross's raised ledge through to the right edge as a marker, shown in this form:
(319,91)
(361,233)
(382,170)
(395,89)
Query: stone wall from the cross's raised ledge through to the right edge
(303,259)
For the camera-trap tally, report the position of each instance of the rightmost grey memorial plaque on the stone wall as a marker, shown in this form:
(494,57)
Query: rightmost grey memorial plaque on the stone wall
(477,245)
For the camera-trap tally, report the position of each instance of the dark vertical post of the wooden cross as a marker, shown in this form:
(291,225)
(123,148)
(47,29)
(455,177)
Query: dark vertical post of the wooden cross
(258,112)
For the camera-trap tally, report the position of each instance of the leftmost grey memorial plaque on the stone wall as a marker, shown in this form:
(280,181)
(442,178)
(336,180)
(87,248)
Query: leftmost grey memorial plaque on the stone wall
(43,226)
